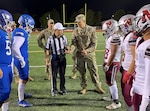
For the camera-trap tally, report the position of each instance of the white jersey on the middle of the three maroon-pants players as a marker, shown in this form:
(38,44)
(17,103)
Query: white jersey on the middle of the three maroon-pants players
(129,40)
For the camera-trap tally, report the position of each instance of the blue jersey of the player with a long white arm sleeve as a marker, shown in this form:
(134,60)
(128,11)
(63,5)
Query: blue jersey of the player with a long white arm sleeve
(19,32)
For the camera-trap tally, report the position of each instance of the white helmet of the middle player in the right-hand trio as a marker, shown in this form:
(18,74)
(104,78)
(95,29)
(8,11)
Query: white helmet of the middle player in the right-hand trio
(127,23)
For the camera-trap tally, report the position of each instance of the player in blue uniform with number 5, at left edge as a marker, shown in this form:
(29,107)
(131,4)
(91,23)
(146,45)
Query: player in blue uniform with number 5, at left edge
(5,59)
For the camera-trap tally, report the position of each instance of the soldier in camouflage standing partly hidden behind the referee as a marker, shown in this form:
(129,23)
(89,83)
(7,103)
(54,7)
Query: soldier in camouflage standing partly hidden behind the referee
(44,35)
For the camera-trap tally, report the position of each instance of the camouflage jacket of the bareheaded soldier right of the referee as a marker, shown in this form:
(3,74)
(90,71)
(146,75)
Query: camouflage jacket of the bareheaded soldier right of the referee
(85,39)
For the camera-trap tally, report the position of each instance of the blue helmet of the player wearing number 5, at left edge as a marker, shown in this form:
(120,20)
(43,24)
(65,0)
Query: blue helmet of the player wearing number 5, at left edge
(5,20)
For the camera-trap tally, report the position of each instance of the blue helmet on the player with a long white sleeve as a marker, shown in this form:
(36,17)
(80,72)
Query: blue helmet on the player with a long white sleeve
(27,22)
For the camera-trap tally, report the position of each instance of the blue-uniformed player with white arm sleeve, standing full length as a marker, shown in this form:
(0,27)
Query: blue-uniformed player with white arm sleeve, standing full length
(20,38)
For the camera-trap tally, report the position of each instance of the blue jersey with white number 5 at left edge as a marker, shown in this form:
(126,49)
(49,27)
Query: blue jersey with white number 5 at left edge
(5,48)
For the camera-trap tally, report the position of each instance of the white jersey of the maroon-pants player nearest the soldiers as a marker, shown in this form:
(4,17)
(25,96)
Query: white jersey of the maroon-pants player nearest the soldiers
(115,39)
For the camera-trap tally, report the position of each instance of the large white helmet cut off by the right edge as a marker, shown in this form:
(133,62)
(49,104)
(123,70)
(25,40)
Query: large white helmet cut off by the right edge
(143,18)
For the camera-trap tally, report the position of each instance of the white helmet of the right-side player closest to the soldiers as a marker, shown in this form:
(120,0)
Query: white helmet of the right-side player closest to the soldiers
(110,26)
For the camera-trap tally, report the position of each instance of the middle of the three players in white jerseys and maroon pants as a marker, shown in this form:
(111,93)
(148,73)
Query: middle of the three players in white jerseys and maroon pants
(127,24)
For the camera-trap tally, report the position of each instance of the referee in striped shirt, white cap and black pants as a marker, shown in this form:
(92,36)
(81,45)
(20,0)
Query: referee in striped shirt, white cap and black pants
(57,45)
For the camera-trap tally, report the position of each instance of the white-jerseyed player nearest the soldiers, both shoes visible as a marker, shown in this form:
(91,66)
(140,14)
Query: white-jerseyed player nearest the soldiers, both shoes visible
(112,59)
